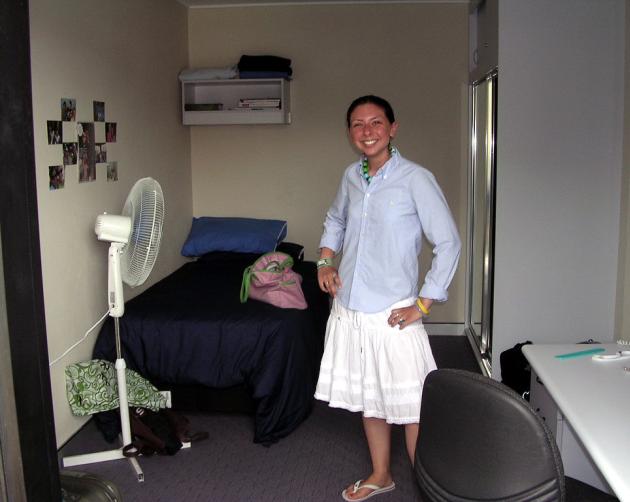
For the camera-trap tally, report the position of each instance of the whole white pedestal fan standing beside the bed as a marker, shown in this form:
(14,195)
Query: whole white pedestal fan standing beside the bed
(135,240)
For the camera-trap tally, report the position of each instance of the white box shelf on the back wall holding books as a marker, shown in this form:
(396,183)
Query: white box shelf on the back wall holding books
(227,93)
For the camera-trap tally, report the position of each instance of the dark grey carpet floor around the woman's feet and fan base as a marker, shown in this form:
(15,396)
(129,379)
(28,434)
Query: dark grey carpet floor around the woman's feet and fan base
(314,463)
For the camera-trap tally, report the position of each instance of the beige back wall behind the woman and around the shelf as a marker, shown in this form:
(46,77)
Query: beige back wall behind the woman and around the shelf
(415,55)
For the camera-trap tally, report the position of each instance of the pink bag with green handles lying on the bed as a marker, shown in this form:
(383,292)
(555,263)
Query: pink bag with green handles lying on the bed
(272,280)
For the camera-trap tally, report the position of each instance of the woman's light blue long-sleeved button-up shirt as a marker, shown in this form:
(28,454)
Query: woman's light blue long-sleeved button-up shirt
(379,226)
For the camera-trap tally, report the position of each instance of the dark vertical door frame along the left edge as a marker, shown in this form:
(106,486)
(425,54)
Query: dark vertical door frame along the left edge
(21,259)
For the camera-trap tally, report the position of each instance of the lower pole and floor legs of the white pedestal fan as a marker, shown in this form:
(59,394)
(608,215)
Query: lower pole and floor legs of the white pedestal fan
(117,454)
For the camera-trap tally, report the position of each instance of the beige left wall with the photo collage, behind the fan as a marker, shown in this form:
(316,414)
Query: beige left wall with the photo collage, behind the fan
(127,54)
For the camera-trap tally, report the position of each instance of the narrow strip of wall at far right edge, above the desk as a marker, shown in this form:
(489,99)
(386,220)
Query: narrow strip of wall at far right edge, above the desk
(622,324)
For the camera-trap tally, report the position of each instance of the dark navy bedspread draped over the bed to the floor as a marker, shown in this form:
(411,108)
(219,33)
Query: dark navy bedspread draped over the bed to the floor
(191,329)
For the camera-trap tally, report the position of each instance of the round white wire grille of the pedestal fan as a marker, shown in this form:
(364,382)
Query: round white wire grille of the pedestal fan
(145,207)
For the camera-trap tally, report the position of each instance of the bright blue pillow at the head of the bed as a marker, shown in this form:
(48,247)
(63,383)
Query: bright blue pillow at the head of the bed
(243,235)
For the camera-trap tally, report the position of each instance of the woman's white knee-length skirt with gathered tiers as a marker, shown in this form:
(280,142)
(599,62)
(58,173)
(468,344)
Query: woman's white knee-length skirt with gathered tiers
(371,367)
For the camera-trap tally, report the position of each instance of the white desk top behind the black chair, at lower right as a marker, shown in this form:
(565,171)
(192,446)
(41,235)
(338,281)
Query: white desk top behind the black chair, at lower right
(594,396)
